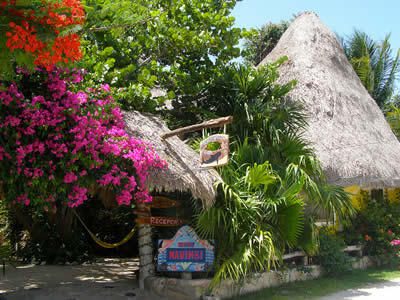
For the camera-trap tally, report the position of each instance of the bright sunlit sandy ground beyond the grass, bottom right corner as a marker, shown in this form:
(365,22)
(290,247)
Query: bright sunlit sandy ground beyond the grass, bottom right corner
(387,290)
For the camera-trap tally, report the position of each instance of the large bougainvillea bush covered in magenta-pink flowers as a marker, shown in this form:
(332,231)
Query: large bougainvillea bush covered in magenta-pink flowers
(57,145)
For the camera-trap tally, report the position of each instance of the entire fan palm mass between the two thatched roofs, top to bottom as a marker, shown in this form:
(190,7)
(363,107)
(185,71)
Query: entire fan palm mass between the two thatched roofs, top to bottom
(272,174)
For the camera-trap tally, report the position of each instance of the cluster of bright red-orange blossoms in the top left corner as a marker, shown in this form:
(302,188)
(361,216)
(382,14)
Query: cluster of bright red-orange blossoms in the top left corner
(55,16)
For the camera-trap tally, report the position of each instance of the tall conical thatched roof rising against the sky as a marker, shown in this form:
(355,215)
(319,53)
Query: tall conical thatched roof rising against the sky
(346,127)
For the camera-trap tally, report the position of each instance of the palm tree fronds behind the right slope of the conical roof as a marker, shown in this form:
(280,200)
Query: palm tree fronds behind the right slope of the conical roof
(374,64)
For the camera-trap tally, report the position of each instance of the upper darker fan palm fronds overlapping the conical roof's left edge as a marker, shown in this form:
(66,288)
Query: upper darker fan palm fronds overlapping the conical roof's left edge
(270,126)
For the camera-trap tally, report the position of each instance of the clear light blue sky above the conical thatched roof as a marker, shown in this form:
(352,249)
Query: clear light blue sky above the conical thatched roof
(375,17)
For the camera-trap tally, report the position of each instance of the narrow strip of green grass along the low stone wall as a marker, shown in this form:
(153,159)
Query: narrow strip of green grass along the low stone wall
(323,286)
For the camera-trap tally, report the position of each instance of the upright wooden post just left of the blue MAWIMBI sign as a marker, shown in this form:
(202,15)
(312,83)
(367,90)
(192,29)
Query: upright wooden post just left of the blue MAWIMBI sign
(145,253)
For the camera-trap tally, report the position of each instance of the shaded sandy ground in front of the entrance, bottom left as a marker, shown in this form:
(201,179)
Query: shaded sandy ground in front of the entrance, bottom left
(105,279)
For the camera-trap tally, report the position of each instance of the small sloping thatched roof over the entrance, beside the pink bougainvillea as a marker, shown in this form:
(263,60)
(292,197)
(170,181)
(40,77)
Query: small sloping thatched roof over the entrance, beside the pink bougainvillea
(183,172)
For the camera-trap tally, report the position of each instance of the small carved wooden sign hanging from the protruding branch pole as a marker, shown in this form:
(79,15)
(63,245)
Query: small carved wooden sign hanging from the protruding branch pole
(218,157)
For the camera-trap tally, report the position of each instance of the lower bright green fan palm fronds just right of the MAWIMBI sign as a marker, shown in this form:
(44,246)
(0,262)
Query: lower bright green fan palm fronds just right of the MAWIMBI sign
(256,216)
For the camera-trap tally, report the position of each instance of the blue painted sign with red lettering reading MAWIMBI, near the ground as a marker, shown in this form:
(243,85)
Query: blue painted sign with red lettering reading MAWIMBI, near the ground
(185,252)
